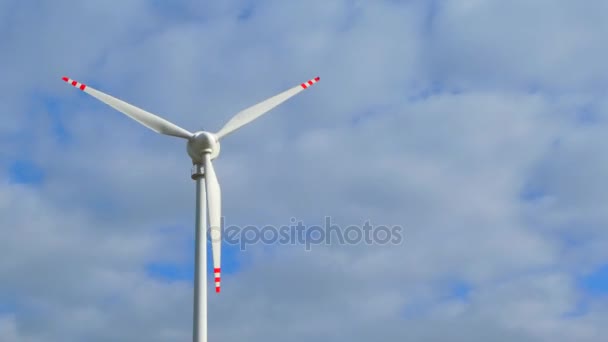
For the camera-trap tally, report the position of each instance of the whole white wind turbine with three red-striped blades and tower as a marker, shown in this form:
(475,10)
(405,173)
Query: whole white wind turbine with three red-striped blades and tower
(203,147)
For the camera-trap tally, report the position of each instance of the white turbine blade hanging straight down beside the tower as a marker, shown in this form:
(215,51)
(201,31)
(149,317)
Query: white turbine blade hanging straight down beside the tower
(214,203)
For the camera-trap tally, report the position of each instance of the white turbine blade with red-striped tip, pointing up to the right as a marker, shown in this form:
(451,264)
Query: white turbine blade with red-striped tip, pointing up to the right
(246,116)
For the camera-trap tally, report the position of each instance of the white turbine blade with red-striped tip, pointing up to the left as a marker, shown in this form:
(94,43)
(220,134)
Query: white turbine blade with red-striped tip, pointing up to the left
(149,120)
